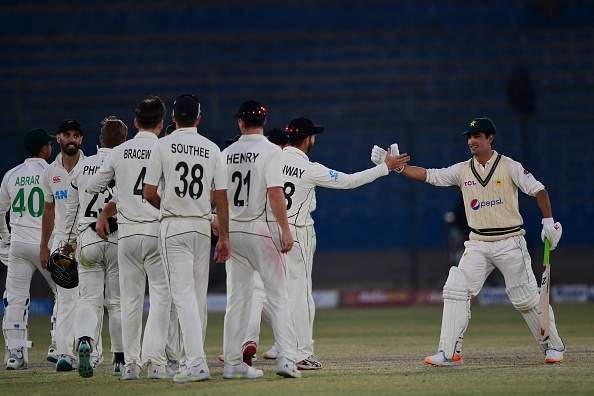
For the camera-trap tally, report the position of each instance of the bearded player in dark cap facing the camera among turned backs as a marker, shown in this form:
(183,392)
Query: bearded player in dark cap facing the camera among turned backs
(55,182)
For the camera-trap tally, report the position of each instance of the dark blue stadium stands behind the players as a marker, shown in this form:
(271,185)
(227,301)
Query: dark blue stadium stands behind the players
(378,72)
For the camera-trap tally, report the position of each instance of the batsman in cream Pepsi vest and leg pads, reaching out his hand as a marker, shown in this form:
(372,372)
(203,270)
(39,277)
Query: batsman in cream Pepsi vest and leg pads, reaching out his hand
(489,182)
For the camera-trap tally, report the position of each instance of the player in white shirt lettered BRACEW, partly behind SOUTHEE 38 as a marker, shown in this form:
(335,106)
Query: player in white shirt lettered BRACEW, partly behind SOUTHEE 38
(138,246)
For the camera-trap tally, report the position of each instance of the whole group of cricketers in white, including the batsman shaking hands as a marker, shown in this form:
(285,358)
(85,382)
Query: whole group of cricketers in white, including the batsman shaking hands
(151,208)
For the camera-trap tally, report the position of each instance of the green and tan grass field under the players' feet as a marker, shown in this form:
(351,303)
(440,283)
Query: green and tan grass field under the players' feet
(365,352)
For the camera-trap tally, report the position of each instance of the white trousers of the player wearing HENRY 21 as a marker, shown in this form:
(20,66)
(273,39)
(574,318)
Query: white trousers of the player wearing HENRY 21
(255,246)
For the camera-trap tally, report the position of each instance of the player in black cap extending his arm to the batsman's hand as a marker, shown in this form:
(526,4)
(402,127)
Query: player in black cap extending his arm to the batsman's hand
(301,177)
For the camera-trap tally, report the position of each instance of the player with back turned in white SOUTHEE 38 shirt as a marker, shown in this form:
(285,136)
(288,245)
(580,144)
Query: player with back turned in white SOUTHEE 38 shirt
(186,164)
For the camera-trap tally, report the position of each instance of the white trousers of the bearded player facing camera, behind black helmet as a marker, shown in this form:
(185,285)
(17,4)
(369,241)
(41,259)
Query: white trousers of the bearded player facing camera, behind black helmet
(66,311)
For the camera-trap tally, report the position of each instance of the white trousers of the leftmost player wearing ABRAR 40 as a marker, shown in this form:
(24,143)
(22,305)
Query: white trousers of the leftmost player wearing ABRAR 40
(23,261)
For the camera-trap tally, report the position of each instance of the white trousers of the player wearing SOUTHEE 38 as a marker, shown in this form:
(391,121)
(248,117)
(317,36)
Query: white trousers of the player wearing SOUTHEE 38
(185,247)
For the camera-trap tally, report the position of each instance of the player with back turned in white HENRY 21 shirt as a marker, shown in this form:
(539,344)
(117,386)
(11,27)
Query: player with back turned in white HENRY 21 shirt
(259,236)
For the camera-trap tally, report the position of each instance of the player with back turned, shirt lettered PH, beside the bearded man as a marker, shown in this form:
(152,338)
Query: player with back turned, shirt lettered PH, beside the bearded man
(97,259)
